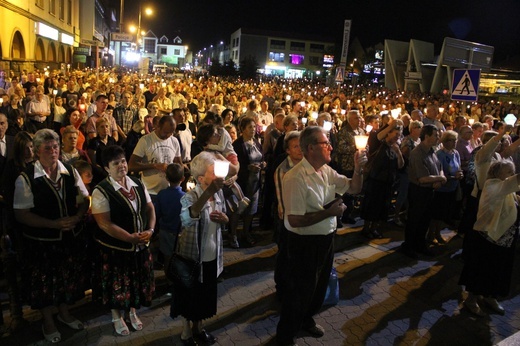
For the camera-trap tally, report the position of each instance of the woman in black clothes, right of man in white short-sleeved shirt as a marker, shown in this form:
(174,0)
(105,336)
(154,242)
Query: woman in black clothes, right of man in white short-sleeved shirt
(381,172)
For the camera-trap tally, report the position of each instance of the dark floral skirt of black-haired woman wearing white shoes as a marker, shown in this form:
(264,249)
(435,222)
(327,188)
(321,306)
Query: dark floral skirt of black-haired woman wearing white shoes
(122,279)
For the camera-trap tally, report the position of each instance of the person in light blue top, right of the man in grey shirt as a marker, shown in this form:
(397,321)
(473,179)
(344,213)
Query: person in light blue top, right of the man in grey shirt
(444,198)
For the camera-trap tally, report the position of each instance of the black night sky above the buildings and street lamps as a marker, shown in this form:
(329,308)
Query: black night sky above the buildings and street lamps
(201,23)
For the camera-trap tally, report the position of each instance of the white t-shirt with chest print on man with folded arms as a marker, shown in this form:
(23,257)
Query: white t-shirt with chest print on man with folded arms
(152,149)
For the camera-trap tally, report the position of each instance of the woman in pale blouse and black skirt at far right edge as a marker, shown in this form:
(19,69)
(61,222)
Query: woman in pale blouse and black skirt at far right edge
(488,263)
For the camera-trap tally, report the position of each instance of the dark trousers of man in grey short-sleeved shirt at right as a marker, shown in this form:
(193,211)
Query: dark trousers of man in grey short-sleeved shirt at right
(419,216)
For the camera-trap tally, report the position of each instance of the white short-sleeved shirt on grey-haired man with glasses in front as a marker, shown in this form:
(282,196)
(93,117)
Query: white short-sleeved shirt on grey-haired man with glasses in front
(305,190)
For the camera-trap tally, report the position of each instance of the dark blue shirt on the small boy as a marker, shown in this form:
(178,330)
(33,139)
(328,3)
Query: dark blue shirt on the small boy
(168,209)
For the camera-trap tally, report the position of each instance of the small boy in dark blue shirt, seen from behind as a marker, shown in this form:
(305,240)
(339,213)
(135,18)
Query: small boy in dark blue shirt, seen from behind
(168,210)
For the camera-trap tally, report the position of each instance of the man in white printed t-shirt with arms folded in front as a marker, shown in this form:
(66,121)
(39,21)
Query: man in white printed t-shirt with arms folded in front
(153,153)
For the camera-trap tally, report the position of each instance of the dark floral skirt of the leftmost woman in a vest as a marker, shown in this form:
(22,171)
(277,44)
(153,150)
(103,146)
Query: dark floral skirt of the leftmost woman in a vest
(55,271)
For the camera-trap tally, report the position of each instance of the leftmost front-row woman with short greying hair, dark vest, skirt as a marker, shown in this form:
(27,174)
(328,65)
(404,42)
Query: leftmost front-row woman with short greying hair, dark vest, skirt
(50,202)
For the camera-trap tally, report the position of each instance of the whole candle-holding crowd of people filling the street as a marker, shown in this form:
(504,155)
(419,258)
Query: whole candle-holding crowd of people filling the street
(104,175)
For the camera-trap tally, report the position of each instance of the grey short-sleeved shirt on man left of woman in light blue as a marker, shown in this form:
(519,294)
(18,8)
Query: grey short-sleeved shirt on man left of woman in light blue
(422,163)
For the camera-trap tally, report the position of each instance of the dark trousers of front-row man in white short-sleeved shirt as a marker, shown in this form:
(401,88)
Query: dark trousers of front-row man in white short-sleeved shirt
(309,262)
